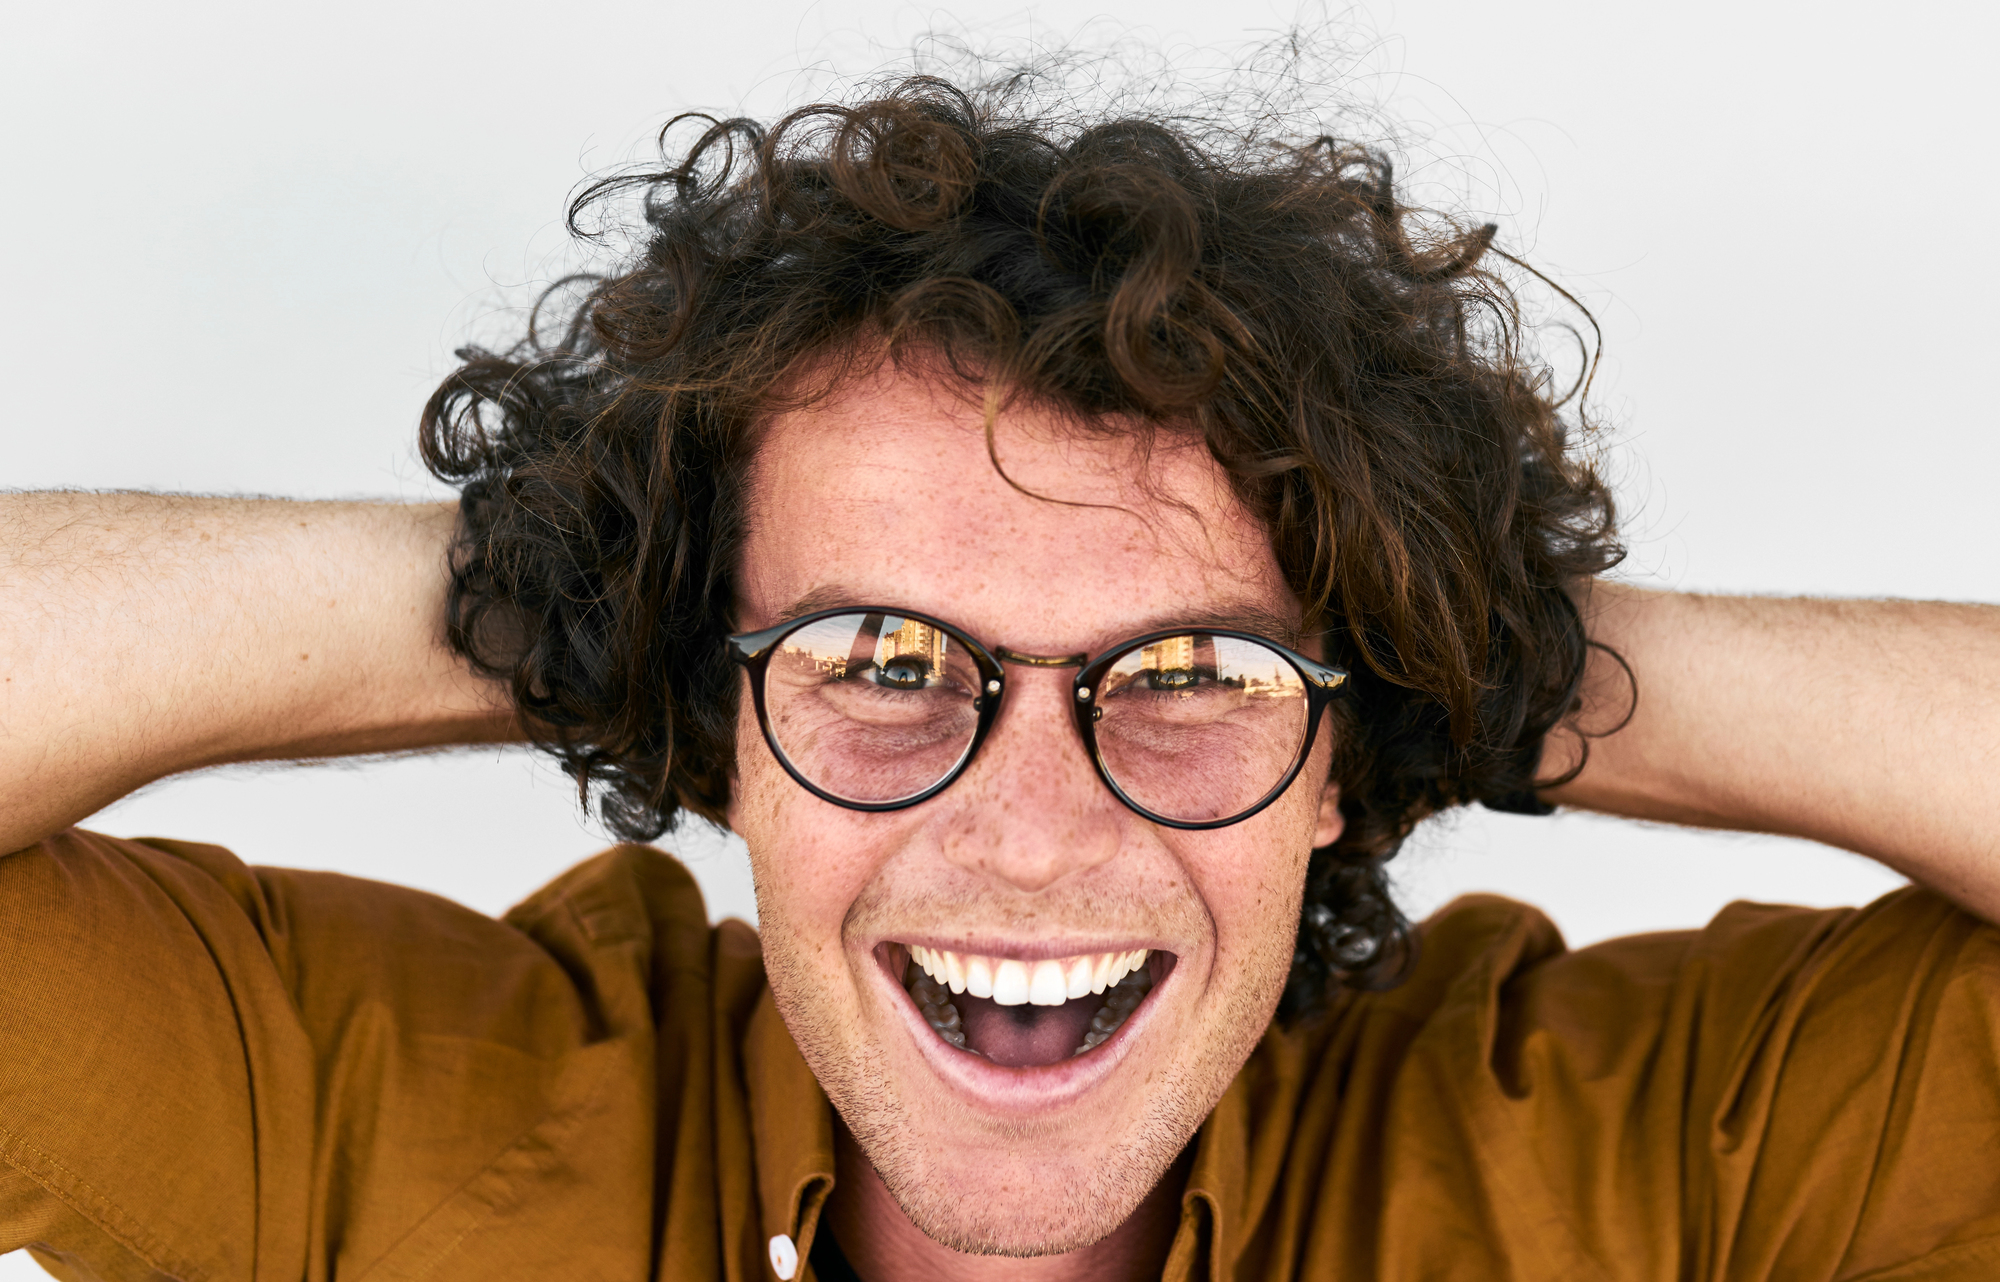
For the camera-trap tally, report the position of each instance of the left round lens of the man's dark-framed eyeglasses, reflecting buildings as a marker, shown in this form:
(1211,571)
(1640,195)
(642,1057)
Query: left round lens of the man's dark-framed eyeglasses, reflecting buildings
(873,707)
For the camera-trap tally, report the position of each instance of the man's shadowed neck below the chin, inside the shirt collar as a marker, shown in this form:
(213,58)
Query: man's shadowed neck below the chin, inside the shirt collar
(883,1247)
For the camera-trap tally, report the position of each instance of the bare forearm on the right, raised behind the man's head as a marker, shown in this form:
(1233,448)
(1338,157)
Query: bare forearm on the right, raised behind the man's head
(1863,725)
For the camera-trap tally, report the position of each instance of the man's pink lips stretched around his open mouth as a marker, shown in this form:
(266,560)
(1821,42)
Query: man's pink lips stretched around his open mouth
(1019,1091)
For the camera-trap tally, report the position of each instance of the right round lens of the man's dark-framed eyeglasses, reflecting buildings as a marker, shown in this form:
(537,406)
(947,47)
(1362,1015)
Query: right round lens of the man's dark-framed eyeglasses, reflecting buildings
(1201,727)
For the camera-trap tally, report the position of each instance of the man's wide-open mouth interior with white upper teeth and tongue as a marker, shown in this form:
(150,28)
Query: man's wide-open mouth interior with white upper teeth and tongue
(1027,1015)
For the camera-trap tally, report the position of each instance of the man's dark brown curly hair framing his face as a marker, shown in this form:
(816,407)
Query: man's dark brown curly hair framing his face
(1361,383)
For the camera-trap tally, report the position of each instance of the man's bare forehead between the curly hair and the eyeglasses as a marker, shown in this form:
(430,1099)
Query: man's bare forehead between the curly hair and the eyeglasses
(887,495)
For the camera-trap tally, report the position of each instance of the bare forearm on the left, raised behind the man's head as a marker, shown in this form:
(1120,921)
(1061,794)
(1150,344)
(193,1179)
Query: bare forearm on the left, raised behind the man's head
(151,635)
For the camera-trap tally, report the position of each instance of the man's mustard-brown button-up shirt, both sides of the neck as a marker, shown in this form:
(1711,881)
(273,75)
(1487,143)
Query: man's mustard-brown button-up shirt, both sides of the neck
(227,1073)
